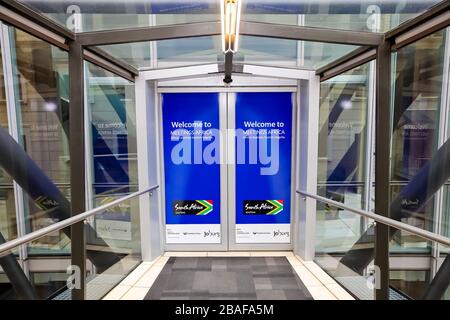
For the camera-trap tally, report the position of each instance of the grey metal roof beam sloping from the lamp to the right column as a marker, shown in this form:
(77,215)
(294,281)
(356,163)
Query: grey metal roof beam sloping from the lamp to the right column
(292,32)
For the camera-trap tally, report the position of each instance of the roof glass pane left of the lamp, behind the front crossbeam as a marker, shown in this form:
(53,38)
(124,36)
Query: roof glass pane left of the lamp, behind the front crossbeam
(170,53)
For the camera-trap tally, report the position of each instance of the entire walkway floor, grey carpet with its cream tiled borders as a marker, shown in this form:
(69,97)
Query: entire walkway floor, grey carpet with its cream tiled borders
(228,275)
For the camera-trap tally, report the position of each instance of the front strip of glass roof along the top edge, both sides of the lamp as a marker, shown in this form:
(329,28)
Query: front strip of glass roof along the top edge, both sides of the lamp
(358,15)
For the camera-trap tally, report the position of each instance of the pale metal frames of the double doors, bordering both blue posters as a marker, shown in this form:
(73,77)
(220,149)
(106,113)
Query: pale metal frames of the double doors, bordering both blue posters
(227,172)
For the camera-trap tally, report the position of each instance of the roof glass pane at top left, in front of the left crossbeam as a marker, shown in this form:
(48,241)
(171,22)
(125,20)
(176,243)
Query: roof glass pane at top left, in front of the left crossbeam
(96,15)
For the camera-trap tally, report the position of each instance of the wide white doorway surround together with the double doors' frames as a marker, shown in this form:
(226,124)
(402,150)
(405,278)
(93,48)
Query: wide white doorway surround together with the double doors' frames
(205,79)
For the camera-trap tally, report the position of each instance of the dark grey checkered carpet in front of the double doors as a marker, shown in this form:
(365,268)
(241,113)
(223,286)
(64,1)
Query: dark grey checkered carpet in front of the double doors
(207,278)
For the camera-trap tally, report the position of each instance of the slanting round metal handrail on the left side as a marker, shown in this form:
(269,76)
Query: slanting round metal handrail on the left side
(7,246)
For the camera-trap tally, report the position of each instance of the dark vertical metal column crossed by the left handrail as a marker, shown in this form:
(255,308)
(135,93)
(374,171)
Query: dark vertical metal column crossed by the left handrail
(77,163)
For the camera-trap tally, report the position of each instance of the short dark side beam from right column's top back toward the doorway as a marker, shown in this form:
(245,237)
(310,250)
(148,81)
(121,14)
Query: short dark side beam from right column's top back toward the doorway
(351,60)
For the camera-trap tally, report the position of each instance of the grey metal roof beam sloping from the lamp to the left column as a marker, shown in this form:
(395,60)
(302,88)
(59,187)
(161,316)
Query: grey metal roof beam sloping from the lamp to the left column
(143,34)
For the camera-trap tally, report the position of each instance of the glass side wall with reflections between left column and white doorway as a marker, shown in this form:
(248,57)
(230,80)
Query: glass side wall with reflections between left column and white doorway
(115,232)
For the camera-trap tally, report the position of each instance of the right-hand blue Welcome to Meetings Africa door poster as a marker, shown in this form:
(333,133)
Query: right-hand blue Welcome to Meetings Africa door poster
(263,167)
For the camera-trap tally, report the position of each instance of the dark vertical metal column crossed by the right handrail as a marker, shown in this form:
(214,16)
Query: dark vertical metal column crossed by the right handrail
(382,165)
